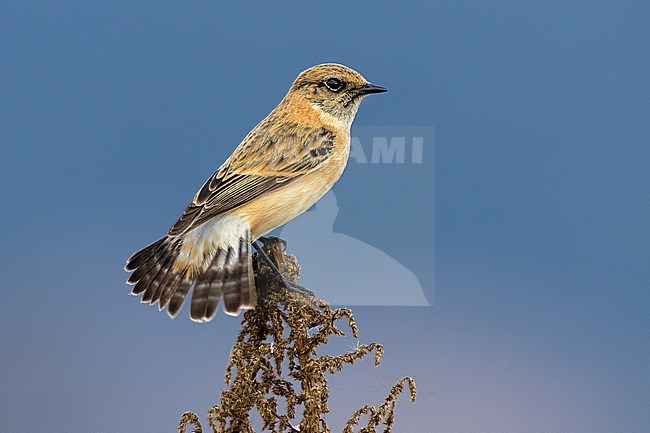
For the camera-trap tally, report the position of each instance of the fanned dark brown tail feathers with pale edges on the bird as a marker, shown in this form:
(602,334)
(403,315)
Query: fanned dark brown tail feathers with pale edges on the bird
(229,274)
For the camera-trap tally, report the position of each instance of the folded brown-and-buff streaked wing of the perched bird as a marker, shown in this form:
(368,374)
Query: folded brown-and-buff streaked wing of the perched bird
(262,163)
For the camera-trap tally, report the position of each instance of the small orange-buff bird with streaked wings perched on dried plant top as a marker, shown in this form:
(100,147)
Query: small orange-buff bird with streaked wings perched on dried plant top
(280,169)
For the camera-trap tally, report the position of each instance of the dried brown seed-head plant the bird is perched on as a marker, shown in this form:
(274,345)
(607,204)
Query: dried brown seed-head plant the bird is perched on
(286,331)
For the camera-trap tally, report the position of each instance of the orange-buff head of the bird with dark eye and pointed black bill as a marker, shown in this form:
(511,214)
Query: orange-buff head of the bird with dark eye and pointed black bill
(334,90)
